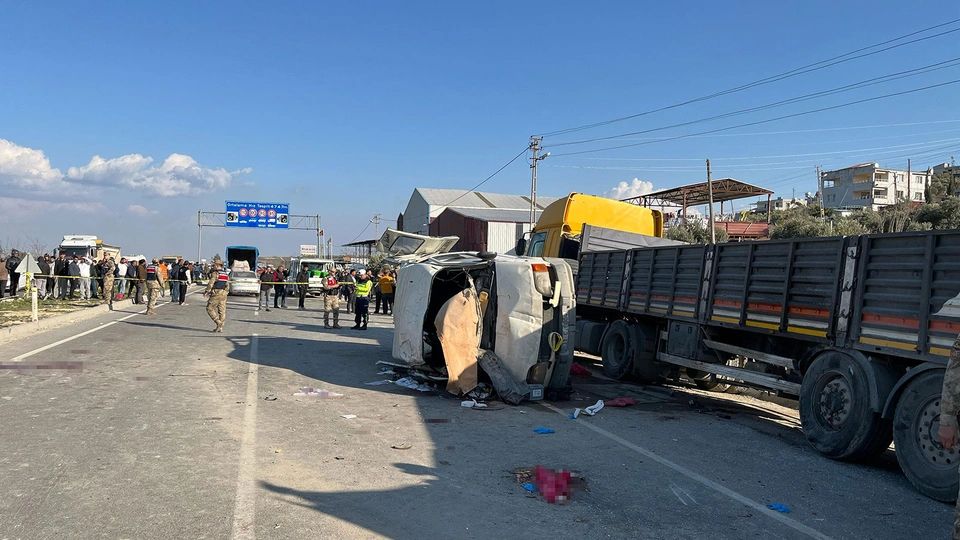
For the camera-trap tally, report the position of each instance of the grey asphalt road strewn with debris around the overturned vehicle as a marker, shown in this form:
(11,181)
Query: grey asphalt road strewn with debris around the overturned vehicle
(128,426)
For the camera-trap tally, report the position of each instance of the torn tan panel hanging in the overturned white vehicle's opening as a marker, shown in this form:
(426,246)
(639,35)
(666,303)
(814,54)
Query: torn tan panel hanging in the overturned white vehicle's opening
(458,328)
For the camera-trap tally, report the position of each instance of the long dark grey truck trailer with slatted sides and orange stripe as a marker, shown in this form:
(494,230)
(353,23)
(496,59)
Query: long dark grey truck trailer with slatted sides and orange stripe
(858,328)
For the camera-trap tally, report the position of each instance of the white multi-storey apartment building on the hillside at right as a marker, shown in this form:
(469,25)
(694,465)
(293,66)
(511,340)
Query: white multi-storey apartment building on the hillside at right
(867,185)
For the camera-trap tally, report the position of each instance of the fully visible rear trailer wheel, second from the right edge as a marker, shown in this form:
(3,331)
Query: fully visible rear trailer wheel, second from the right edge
(835,410)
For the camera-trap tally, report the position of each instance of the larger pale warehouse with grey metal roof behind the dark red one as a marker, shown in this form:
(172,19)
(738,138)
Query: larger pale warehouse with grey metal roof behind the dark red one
(426,204)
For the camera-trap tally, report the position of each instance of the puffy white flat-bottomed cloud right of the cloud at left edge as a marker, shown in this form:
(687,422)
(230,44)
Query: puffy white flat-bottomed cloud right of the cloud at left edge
(179,174)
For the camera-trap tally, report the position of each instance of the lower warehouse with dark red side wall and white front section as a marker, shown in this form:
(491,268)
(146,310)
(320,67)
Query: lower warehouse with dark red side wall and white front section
(483,229)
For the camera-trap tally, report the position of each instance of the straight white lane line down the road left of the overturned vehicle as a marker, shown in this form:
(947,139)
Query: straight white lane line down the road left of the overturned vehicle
(244,508)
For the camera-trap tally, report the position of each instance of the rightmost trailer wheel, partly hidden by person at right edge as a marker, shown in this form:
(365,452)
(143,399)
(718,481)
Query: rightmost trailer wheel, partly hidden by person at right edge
(931,468)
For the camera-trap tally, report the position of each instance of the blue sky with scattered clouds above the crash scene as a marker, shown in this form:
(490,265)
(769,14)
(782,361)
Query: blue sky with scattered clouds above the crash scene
(343,109)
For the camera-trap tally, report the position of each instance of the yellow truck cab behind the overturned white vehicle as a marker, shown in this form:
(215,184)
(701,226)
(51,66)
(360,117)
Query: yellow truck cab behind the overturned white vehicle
(561,222)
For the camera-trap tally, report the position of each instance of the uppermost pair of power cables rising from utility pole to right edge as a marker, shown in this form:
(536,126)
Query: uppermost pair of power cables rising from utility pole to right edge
(822,64)
